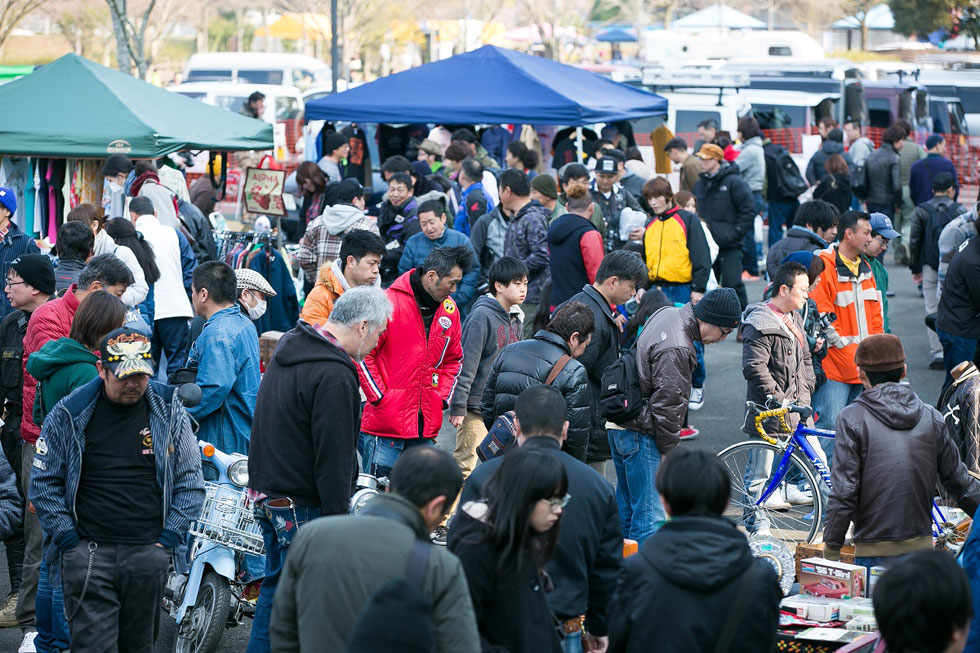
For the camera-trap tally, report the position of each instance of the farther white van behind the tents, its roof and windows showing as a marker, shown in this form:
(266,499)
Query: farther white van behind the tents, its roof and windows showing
(272,68)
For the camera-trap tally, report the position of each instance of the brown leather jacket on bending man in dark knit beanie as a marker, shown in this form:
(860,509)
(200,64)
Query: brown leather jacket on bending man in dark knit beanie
(665,359)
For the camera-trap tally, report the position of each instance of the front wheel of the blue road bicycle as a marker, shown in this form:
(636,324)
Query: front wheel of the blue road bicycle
(793,510)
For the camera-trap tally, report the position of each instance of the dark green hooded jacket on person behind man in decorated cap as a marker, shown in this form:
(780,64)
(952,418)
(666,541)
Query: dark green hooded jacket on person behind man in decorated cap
(59,367)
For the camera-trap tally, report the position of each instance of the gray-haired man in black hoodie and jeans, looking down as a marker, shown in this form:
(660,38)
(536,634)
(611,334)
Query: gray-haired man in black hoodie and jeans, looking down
(301,461)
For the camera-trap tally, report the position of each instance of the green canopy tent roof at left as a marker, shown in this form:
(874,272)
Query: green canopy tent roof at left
(75,108)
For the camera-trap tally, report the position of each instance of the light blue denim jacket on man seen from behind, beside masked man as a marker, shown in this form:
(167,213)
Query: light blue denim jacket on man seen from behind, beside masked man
(226,355)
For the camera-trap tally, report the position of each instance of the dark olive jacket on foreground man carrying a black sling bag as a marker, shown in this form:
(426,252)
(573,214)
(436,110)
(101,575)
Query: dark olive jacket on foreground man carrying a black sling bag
(337,563)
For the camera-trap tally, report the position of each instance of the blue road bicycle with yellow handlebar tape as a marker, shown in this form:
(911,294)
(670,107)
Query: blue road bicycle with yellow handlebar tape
(779,486)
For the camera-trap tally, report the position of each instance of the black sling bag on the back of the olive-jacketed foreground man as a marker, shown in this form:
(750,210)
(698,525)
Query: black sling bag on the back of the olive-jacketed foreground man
(398,618)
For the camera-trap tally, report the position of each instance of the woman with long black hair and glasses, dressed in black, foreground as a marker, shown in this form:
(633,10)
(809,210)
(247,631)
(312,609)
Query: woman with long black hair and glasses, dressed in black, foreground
(504,543)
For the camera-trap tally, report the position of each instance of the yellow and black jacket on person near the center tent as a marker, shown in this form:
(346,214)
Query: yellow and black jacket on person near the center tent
(676,250)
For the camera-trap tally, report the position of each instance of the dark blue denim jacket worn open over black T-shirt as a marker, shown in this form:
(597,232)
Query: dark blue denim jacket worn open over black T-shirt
(57,466)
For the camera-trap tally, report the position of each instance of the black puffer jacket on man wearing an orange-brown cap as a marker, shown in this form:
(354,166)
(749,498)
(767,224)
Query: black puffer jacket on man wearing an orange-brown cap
(726,205)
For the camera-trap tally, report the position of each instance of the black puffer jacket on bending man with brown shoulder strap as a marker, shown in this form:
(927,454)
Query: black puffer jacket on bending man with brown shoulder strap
(524,364)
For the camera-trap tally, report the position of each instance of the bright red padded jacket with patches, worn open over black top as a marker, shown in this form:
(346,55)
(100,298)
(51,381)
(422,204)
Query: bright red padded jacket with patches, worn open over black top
(407,372)
